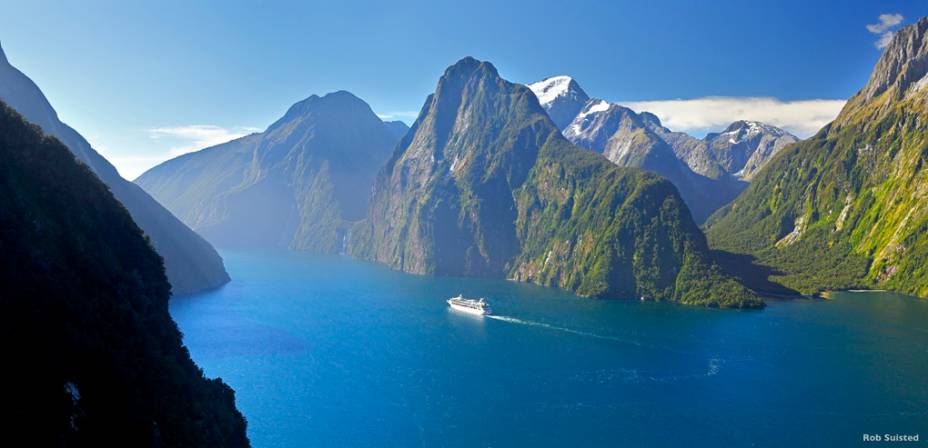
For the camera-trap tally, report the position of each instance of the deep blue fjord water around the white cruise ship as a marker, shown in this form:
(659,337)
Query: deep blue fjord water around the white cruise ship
(328,351)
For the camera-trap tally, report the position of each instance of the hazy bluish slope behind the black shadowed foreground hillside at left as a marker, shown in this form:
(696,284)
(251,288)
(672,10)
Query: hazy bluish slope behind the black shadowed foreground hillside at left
(192,264)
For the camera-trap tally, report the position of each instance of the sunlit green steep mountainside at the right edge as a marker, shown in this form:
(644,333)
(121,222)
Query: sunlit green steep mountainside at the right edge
(848,207)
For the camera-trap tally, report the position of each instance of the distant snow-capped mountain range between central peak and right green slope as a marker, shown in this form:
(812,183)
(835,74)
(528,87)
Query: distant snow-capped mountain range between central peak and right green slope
(709,172)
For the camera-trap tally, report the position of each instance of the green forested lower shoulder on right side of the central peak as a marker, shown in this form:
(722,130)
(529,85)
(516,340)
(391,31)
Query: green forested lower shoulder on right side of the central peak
(605,231)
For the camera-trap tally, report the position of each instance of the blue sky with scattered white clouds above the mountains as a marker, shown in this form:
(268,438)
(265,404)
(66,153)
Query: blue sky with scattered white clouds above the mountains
(147,81)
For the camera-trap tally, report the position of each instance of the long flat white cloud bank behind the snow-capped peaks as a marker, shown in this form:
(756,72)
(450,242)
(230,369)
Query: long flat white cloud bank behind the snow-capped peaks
(700,115)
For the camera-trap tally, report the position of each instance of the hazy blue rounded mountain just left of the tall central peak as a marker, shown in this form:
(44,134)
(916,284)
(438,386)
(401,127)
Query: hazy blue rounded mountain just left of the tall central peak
(294,185)
